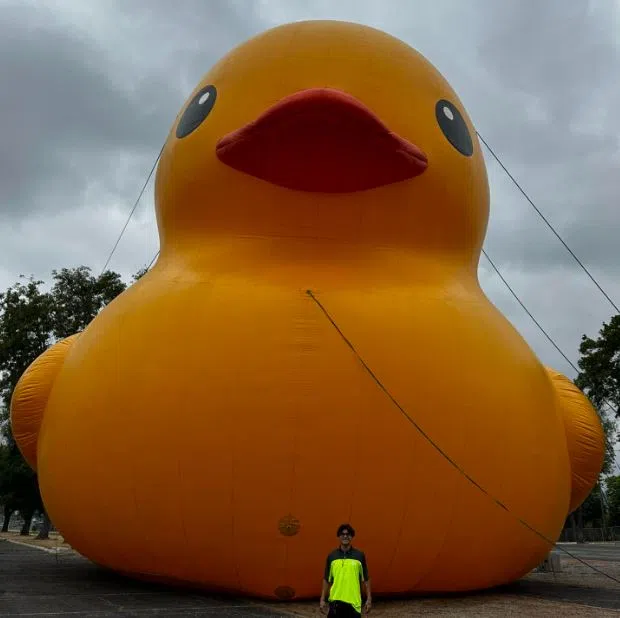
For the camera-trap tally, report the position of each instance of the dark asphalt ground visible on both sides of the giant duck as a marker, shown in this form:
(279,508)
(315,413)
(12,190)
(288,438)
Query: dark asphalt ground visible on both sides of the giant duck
(38,583)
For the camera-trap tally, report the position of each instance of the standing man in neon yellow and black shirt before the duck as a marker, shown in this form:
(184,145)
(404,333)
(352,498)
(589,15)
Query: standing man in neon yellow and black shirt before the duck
(345,570)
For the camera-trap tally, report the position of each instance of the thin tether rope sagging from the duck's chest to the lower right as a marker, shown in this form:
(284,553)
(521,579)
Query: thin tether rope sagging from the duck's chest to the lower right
(440,450)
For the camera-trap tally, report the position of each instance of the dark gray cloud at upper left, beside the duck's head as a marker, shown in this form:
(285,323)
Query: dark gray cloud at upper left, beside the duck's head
(64,118)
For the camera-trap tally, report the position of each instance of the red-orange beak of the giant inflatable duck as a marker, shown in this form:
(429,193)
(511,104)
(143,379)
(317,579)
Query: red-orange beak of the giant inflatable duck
(321,140)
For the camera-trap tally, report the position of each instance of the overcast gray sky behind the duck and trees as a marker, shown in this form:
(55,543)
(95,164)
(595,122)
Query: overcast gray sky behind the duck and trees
(88,91)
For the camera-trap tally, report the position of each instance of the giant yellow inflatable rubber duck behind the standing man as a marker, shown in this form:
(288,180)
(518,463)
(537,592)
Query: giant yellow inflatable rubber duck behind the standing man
(311,347)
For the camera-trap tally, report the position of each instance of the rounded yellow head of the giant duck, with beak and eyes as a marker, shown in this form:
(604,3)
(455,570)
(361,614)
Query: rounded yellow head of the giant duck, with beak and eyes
(326,130)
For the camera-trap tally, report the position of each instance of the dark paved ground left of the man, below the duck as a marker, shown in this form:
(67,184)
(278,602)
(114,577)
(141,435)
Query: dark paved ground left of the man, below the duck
(36,583)
